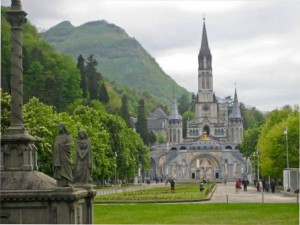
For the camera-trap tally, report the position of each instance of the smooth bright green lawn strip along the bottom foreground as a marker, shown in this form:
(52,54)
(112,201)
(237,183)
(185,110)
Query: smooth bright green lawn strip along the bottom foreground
(197,214)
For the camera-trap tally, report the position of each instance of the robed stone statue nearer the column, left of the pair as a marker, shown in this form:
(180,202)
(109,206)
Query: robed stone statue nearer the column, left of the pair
(62,157)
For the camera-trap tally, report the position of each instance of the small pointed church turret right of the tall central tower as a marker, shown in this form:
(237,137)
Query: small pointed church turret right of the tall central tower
(235,128)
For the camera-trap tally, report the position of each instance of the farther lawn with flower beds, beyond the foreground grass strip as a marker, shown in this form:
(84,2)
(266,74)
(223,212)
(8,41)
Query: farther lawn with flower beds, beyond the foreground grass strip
(182,192)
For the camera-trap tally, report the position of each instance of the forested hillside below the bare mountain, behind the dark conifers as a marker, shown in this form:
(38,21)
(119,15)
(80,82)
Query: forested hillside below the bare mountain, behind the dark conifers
(54,78)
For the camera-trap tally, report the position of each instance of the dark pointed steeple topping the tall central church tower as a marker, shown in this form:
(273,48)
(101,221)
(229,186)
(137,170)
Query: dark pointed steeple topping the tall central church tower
(204,57)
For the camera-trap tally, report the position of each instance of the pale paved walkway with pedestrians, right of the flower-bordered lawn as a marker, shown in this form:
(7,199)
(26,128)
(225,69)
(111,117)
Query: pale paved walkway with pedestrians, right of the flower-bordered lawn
(224,194)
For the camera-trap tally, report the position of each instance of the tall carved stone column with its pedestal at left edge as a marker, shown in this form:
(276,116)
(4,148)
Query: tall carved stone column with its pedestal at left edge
(18,152)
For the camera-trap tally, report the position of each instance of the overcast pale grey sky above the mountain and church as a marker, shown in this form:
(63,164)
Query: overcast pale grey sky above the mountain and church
(254,44)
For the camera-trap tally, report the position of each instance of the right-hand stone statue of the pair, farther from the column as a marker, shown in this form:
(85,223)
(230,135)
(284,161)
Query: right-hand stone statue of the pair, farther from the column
(83,159)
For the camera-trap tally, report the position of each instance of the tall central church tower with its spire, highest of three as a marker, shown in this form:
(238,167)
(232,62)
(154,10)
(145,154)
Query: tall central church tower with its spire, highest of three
(206,106)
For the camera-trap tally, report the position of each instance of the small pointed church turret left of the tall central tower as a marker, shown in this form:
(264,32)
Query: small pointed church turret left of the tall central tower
(175,124)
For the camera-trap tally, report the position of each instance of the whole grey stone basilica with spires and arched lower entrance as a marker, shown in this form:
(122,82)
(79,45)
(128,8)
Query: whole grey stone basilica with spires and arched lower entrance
(209,149)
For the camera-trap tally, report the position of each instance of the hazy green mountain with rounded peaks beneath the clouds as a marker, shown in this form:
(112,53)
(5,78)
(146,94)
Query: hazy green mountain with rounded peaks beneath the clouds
(121,58)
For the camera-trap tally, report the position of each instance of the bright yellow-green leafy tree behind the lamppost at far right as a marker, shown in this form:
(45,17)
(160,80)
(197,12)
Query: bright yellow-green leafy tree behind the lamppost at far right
(272,142)
